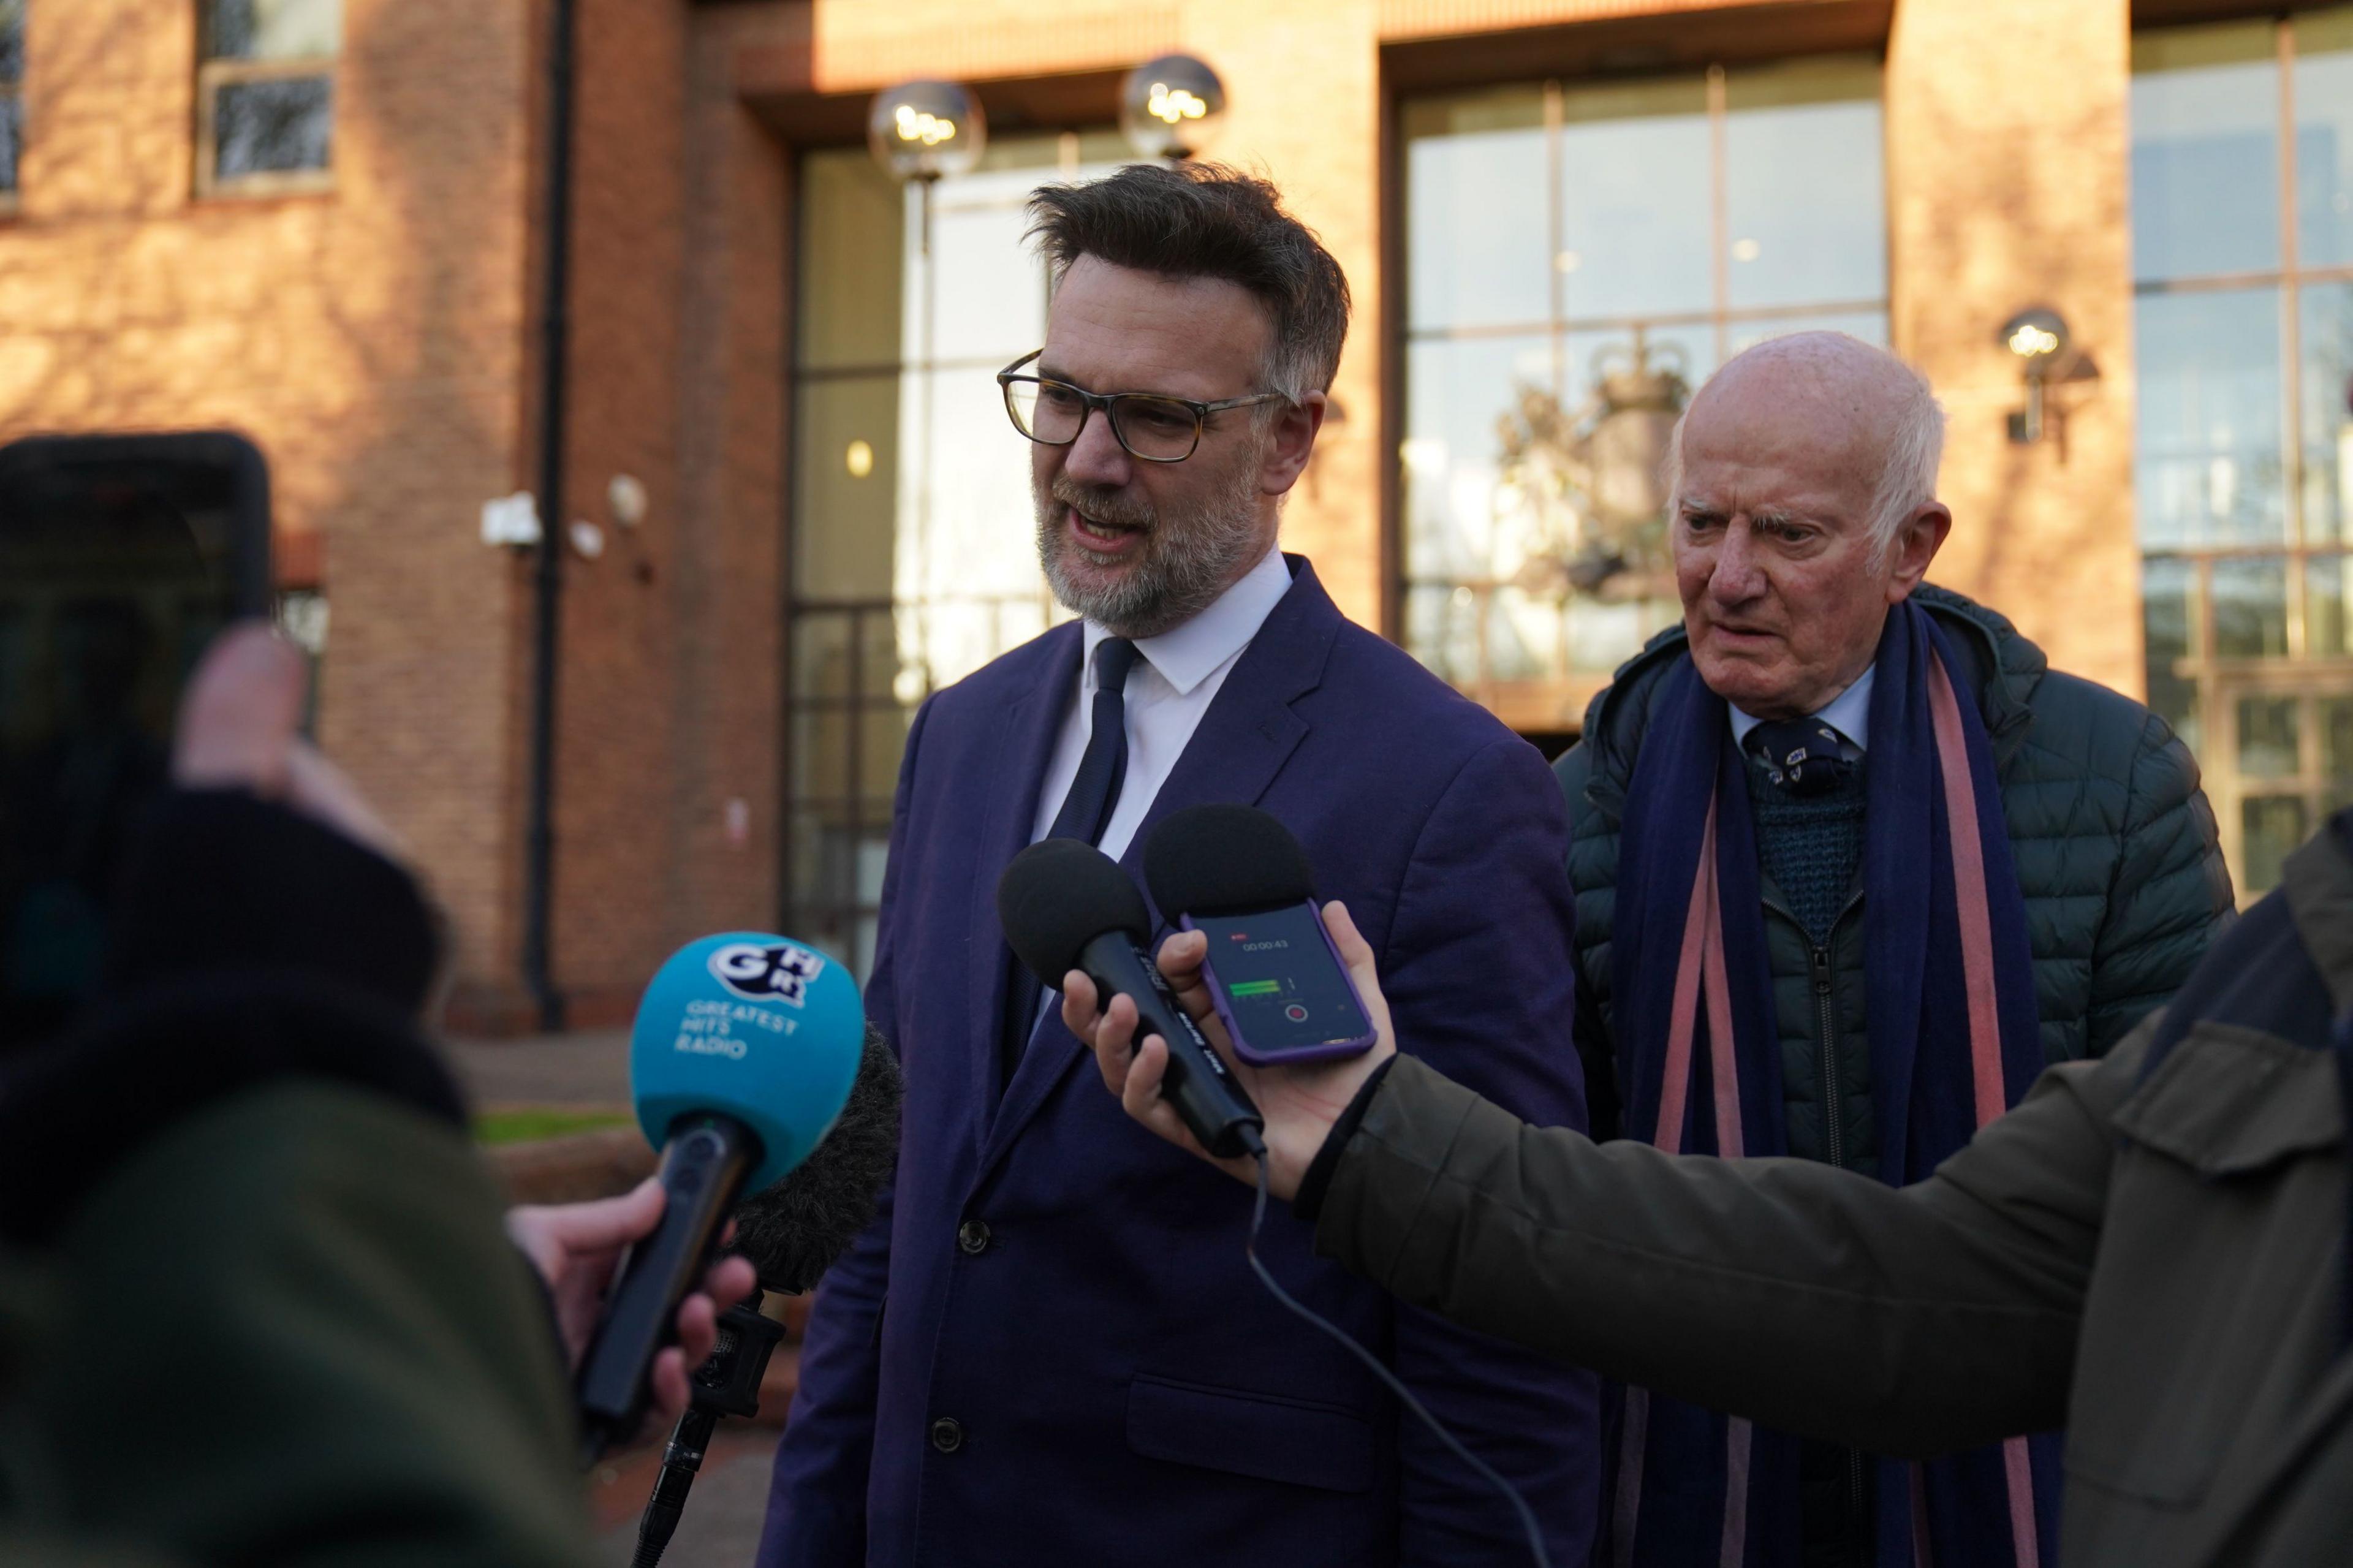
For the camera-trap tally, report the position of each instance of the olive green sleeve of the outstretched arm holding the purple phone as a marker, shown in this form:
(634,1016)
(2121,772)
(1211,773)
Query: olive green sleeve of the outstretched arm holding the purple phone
(1909,1322)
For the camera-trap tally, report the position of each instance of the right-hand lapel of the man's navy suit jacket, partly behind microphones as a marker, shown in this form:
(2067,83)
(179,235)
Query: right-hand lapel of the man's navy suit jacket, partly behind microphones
(1234,757)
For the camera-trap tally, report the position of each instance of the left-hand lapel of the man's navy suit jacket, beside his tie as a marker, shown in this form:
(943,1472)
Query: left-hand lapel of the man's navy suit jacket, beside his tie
(1013,780)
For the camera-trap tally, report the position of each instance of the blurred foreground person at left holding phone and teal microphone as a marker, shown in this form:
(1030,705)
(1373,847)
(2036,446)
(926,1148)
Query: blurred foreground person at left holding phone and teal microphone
(258,1298)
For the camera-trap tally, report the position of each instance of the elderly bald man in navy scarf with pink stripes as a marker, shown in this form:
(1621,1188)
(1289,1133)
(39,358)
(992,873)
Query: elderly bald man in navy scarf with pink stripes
(1853,865)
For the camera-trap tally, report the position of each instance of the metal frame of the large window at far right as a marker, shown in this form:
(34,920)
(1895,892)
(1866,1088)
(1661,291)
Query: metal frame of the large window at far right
(2227,682)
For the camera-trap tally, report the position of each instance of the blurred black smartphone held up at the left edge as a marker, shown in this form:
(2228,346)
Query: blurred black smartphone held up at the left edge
(121,557)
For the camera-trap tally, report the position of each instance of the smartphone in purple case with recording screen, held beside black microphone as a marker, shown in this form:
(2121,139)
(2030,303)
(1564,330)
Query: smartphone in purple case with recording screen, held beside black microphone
(1281,990)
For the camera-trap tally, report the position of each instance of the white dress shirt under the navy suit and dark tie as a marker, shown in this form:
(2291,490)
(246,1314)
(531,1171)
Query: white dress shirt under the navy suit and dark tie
(1168,691)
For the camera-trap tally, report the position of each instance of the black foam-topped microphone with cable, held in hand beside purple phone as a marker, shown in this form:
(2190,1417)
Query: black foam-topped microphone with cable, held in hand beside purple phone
(1065,905)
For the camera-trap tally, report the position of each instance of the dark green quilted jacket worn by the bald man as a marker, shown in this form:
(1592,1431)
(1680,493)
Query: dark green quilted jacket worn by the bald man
(2112,835)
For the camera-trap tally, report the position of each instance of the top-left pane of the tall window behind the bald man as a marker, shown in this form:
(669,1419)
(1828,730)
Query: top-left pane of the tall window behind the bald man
(1474,208)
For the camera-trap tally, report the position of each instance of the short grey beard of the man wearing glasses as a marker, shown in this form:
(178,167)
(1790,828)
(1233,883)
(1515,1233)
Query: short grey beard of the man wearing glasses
(1182,571)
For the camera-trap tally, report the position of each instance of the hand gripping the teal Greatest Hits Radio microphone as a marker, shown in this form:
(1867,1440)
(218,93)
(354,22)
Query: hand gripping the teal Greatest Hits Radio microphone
(578,1247)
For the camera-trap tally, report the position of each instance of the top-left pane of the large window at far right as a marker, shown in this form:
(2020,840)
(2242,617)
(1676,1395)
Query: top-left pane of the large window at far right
(2206,152)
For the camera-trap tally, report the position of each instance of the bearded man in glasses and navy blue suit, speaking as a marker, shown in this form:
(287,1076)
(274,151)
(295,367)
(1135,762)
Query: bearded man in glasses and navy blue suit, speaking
(1048,1348)
